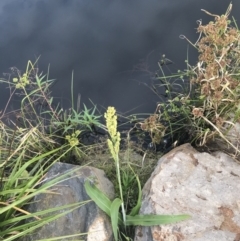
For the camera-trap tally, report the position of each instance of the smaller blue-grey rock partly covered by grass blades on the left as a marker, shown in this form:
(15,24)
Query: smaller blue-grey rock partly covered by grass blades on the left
(88,218)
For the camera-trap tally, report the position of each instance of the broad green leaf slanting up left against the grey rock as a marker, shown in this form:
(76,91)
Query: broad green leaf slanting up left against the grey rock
(98,197)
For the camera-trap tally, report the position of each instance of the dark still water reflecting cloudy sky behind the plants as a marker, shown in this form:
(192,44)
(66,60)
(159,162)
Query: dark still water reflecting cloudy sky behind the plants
(112,46)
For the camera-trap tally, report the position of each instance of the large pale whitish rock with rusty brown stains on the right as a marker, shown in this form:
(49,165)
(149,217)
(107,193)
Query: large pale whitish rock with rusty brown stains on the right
(188,182)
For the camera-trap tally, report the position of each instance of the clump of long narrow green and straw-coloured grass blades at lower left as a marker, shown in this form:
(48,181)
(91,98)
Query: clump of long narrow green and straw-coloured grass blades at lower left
(24,161)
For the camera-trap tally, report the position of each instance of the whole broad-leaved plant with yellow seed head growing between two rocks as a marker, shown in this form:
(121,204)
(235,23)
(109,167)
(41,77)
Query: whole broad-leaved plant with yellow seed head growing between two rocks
(120,219)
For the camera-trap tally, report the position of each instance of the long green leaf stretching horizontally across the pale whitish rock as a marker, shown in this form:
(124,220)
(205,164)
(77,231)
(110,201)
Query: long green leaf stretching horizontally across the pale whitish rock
(150,219)
